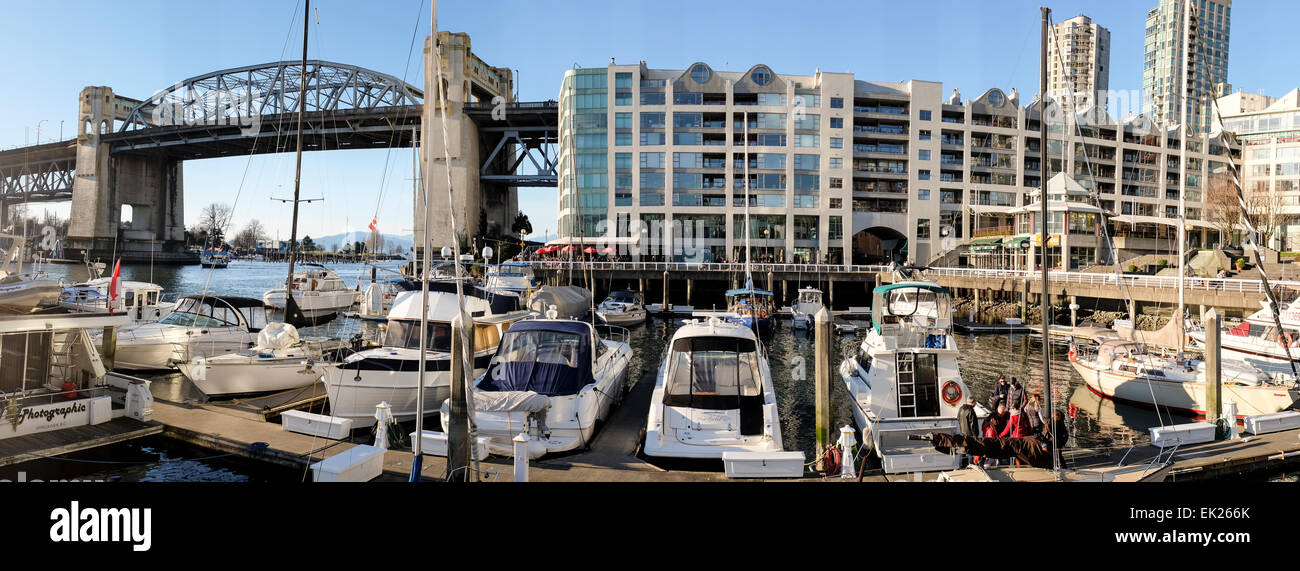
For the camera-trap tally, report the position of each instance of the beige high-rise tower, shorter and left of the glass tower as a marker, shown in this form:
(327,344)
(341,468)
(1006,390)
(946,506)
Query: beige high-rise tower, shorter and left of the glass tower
(1080,62)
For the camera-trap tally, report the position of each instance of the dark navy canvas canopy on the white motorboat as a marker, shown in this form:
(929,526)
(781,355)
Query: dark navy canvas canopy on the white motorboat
(545,357)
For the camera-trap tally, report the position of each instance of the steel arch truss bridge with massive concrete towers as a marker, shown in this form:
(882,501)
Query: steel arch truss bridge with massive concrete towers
(132,153)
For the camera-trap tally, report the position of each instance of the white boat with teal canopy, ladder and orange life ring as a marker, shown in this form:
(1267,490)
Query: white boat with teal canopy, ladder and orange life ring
(904,380)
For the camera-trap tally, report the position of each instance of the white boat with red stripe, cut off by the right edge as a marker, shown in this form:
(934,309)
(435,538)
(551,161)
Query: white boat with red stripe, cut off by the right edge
(1259,344)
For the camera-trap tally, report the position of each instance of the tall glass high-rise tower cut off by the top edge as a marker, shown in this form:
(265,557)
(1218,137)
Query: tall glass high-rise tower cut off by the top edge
(1163,67)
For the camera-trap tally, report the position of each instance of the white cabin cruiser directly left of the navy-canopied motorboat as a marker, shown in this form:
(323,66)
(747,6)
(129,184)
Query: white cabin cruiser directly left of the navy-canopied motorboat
(389,374)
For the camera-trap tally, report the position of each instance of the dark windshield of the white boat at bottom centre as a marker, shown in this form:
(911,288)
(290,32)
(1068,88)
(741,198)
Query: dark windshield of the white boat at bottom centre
(713,373)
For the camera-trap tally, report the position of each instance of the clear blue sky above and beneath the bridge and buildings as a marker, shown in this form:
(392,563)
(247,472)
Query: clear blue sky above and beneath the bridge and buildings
(54,49)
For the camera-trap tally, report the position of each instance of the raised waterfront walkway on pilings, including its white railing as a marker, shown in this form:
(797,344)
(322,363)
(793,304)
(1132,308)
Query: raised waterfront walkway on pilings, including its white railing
(855,283)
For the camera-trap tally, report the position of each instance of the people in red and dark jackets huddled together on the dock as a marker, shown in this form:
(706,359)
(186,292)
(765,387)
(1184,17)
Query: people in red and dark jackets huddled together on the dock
(1013,416)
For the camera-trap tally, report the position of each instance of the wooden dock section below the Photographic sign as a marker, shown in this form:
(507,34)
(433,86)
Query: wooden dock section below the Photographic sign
(71,440)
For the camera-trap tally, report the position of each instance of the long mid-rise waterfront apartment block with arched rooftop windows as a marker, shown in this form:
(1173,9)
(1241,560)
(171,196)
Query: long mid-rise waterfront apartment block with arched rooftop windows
(848,171)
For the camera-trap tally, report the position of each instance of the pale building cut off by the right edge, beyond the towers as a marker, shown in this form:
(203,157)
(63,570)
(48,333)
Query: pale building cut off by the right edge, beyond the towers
(1269,131)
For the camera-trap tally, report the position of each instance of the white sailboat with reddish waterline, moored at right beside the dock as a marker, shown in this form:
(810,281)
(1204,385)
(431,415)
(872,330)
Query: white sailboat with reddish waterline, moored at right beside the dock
(1126,371)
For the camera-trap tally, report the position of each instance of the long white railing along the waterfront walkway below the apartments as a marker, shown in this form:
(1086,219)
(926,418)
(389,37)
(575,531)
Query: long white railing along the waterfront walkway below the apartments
(1202,284)
